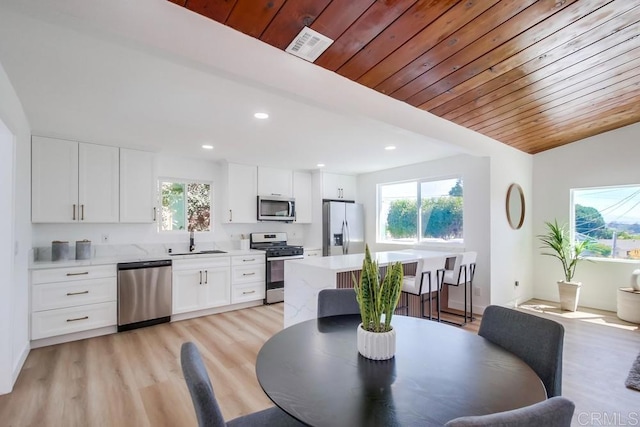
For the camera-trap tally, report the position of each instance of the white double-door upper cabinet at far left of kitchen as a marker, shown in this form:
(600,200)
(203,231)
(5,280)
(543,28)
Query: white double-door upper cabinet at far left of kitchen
(73,182)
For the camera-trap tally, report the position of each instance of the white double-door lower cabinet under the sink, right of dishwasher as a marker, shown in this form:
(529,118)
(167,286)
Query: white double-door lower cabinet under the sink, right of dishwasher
(199,284)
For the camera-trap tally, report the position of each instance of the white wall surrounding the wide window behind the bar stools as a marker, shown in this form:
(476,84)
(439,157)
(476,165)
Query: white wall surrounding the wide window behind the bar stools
(475,172)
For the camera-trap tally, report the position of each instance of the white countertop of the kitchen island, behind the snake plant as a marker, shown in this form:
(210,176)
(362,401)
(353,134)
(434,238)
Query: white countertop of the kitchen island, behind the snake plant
(354,261)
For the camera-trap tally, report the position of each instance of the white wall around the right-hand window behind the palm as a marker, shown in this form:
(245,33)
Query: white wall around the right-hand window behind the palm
(611,158)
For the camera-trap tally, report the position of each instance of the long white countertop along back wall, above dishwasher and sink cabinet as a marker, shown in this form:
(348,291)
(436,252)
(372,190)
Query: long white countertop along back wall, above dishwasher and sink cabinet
(36,265)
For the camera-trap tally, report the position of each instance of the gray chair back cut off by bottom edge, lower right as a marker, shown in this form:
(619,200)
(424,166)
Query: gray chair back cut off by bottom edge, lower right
(553,412)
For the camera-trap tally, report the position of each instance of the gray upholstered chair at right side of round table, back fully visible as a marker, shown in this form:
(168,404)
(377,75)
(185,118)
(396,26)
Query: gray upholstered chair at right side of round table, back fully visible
(536,340)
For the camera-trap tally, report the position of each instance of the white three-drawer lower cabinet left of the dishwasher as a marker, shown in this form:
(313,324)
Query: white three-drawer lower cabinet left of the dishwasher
(74,299)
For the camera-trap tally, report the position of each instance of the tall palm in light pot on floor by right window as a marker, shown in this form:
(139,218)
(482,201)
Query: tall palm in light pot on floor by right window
(558,242)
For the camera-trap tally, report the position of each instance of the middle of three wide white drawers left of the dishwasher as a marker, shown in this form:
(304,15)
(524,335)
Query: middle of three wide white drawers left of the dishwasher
(48,296)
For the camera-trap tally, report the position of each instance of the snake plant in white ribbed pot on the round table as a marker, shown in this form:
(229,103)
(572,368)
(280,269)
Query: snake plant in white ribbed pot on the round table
(378,300)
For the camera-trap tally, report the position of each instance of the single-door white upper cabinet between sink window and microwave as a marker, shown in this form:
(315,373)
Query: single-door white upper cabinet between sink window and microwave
(239,193)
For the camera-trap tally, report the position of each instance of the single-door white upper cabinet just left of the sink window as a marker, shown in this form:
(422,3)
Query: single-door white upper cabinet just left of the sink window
(137,186)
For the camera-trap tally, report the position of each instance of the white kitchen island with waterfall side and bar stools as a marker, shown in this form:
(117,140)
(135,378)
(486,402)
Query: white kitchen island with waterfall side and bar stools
(305,278)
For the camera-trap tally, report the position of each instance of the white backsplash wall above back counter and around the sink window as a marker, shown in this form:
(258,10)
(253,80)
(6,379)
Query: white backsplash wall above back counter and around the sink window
(225,235)
